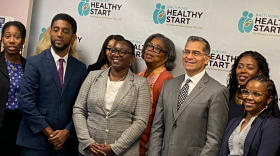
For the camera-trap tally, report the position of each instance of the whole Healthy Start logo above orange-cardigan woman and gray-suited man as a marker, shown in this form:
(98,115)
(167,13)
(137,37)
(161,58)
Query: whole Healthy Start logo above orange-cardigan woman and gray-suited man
(176,16)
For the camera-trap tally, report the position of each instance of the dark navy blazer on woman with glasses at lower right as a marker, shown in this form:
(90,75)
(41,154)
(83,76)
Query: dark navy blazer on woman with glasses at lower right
(263,138)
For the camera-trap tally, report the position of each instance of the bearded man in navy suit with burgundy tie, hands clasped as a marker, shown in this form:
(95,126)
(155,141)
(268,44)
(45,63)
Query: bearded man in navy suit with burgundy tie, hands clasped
(48,92)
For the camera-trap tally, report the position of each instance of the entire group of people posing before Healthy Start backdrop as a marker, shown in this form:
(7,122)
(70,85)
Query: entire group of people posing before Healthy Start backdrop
(51,105)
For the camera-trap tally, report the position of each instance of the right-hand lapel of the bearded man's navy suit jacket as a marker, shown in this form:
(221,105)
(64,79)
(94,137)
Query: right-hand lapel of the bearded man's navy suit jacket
(70,67)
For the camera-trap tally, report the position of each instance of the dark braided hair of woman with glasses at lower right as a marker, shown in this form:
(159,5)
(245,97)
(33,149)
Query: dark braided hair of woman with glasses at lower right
(271,90)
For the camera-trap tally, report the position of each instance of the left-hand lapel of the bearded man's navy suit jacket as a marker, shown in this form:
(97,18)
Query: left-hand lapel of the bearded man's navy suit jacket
(53,69)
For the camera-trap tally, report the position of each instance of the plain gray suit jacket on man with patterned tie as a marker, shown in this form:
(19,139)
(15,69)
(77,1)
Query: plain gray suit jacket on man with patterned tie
(198,128)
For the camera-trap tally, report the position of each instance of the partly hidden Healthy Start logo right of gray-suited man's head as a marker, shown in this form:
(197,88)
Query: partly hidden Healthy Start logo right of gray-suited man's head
(220,60)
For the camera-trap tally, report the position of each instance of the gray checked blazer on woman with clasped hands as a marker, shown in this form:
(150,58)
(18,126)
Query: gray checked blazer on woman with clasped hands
(123,125)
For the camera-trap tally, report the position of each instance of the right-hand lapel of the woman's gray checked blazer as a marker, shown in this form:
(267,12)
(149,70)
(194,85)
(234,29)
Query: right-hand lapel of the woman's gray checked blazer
(123,91)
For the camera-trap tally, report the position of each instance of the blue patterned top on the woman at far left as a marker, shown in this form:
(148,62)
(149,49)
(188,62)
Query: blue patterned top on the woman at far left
(15,73)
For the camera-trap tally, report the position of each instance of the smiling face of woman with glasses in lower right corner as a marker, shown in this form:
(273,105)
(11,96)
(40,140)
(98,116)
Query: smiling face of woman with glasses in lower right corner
(254,105)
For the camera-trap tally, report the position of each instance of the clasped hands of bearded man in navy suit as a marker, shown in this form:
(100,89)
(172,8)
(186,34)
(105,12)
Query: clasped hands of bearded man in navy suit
(58,137)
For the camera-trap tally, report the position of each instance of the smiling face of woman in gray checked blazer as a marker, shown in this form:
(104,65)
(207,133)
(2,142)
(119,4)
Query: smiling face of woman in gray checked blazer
(121,63)
